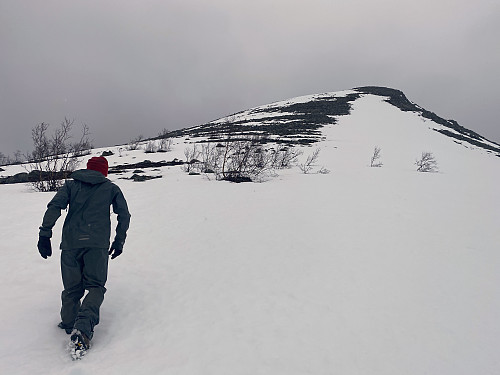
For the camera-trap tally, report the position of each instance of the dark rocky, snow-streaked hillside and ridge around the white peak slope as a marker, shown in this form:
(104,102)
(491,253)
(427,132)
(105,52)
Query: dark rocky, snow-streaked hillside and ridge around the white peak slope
(299,120)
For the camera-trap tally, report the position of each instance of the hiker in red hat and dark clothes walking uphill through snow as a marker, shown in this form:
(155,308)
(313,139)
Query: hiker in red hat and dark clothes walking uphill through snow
(85,244)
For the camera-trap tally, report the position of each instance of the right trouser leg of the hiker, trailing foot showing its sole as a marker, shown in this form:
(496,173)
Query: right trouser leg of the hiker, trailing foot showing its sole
(95,273)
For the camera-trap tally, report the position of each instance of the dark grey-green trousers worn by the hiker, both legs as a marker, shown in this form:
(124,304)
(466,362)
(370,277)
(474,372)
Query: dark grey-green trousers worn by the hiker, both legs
(83,269)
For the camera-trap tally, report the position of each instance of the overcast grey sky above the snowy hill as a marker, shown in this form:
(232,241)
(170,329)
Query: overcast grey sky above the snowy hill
(127,67)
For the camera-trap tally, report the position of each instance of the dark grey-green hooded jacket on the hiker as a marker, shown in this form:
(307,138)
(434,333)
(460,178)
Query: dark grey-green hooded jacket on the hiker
(88,222)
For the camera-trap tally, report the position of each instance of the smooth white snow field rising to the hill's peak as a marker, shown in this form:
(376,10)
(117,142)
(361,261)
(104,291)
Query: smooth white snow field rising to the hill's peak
(358,271)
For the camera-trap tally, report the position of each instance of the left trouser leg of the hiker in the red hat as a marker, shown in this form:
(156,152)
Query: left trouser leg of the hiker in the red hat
(72,277)
